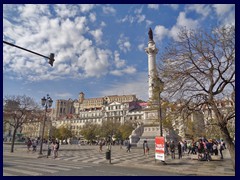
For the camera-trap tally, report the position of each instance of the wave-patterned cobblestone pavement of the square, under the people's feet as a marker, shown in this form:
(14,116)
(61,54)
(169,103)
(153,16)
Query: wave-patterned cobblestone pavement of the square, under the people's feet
(135,158)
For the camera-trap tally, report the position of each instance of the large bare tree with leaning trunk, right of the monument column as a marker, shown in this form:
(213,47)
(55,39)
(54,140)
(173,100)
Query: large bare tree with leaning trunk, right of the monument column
(199,70)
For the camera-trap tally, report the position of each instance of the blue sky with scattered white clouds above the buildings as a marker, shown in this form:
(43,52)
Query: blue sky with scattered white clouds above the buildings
(99,49)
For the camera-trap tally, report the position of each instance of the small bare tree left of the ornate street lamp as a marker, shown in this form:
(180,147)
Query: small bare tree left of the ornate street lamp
(17,111)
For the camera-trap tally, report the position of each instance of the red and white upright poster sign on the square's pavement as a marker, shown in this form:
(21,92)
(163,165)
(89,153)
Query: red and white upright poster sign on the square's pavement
(159,148)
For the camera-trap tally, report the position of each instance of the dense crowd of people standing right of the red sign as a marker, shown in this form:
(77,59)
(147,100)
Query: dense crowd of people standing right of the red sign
(203,148)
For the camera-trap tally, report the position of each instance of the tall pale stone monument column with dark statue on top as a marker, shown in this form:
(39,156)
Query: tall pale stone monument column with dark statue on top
(151,51)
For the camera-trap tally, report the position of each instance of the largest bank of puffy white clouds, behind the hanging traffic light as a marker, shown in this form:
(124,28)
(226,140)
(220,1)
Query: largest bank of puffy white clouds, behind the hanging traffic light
(75,56)
